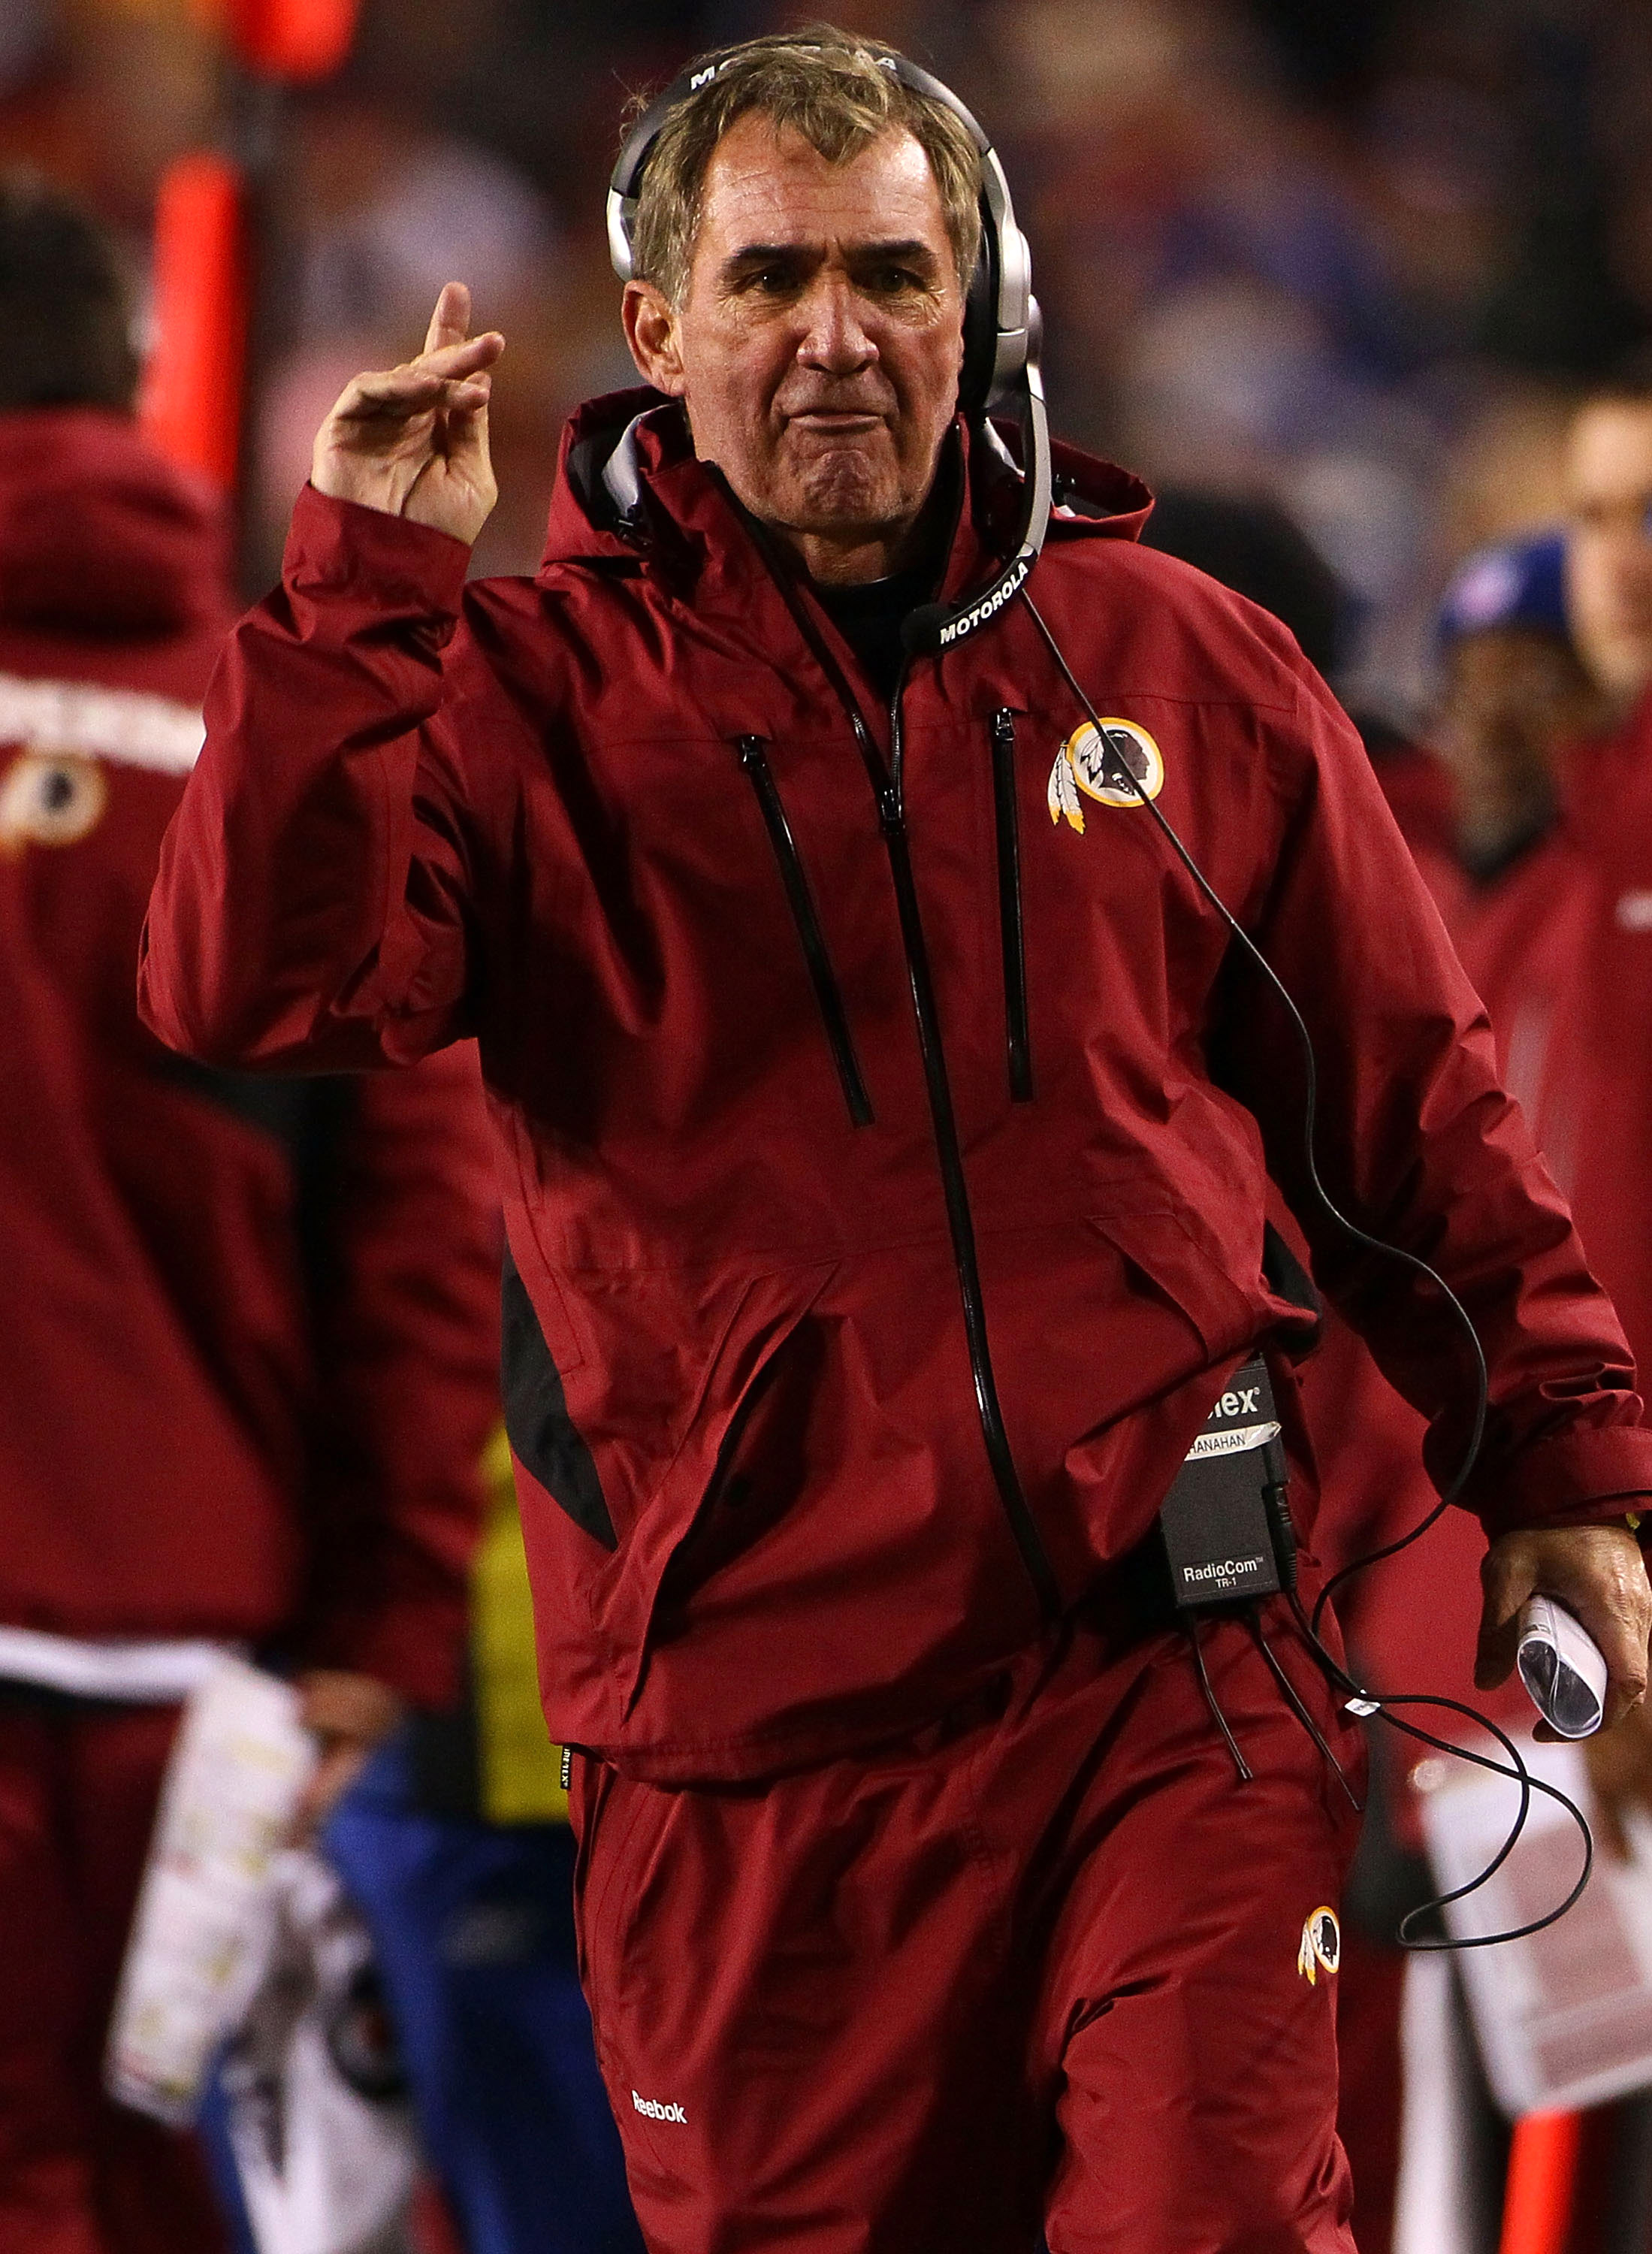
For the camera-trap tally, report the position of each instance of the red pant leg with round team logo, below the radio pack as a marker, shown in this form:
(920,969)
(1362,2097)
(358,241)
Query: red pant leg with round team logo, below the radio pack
(1187,2023)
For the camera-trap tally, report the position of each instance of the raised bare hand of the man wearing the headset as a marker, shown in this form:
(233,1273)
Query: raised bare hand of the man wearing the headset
(414,441)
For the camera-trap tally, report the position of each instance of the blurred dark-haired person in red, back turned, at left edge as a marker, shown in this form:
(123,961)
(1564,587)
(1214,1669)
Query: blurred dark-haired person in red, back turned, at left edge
(249,1326)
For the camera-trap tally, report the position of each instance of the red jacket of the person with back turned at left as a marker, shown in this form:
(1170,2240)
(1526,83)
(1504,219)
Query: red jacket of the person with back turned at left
(249,1329)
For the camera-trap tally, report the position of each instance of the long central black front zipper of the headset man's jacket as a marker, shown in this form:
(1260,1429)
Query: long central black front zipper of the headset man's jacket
(891,810)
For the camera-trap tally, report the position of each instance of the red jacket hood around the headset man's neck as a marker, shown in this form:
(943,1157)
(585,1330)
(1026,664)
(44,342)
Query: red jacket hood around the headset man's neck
(614,450)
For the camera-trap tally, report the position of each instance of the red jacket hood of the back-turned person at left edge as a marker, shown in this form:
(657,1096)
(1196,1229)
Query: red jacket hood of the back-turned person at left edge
(103,533)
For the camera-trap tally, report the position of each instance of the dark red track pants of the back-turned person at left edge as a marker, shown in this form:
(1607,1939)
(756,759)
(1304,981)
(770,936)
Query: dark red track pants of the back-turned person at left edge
(78,1804)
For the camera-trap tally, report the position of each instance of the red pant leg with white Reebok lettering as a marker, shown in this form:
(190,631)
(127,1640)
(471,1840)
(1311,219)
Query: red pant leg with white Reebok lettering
(803,2014)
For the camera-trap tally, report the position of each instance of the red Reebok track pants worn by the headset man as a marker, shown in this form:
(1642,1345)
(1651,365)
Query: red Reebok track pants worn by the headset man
(1038,1967)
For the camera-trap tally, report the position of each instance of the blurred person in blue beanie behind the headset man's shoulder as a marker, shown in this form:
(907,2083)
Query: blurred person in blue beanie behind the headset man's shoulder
(1511,882)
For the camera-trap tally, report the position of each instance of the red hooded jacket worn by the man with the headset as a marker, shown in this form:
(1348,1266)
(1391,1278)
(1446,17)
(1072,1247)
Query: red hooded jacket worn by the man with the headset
(752,1027)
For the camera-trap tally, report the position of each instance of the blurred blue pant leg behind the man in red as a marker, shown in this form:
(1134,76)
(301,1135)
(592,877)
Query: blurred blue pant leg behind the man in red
(474,1937)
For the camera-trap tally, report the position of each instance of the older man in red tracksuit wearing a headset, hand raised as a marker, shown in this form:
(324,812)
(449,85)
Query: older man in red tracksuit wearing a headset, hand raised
(885,1137)
